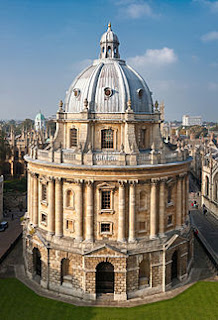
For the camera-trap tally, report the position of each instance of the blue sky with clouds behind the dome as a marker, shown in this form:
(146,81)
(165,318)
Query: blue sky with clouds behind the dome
(46,43)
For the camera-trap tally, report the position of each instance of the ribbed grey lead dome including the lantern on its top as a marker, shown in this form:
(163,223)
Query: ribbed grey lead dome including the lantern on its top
(109,83)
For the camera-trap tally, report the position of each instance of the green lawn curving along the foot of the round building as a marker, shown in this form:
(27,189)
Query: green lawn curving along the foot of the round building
(200,302)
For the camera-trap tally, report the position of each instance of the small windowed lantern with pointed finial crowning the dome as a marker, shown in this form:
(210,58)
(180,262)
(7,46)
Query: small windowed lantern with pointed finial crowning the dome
(109,44)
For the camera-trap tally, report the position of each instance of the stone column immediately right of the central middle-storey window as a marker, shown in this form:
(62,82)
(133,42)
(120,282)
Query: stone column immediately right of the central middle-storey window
(121,219)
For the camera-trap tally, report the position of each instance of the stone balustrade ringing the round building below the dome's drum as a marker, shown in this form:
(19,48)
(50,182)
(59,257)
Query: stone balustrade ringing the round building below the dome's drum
(107,158)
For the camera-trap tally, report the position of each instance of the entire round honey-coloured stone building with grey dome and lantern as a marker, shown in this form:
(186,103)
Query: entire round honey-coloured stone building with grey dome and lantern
(108,199)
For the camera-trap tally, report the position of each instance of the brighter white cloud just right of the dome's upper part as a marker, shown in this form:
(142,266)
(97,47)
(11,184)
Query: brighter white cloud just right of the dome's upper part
(154,57)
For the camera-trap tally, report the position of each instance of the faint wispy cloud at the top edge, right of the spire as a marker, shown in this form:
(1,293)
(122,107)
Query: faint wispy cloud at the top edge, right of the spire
(136,9)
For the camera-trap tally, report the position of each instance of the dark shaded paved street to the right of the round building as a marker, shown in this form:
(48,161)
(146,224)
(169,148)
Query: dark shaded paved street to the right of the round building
(207,226)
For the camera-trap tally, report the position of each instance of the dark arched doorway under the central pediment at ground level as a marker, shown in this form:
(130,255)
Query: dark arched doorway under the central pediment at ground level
(104,278)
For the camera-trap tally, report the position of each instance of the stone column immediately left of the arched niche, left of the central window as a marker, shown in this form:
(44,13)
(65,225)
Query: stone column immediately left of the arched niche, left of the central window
(58,207)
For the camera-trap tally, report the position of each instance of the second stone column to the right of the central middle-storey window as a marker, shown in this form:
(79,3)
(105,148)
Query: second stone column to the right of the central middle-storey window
(132,211)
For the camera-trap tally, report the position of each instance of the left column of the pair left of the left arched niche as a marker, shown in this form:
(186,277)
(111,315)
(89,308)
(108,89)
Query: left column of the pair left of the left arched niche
(51,206)
